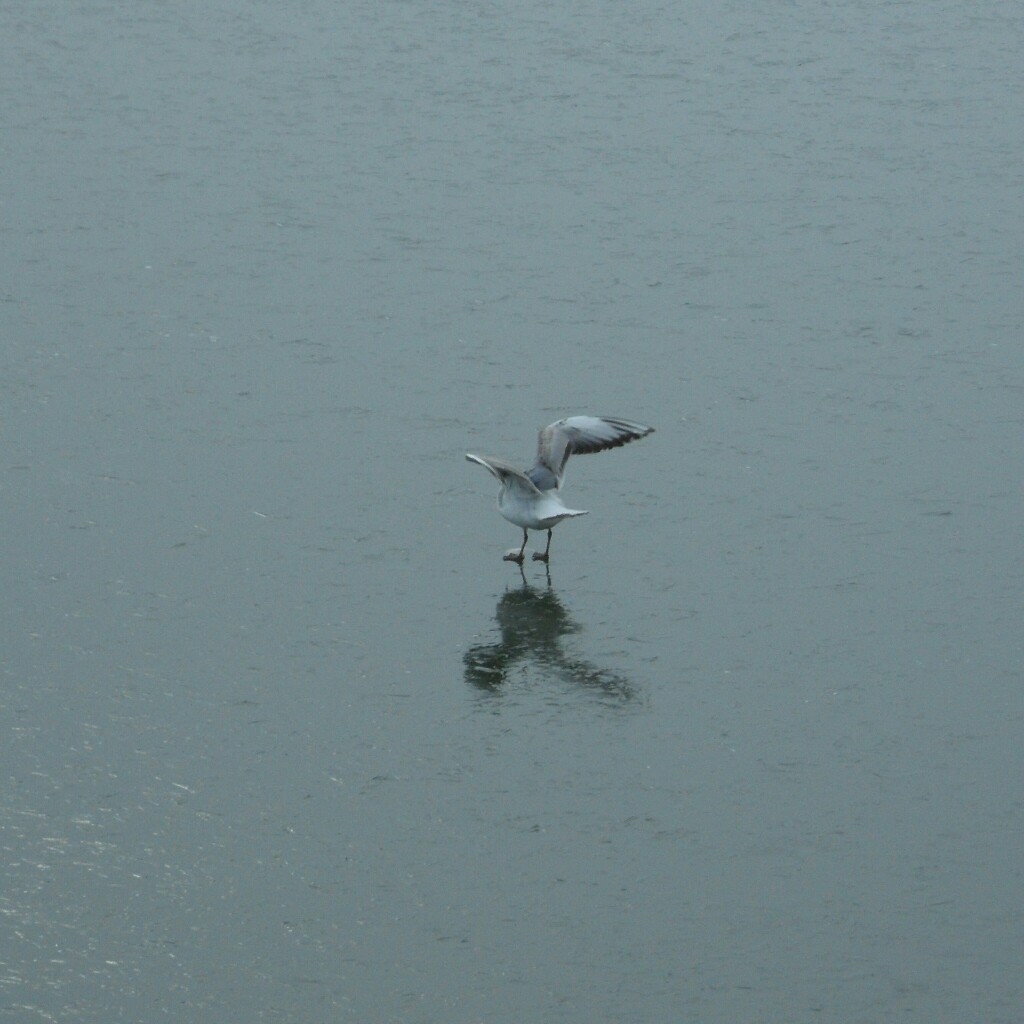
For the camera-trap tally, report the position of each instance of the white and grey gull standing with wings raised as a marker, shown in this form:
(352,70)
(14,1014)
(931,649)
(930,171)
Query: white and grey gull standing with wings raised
(530,500)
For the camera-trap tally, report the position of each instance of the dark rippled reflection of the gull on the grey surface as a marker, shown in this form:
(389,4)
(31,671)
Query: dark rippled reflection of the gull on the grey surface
(533,624)
